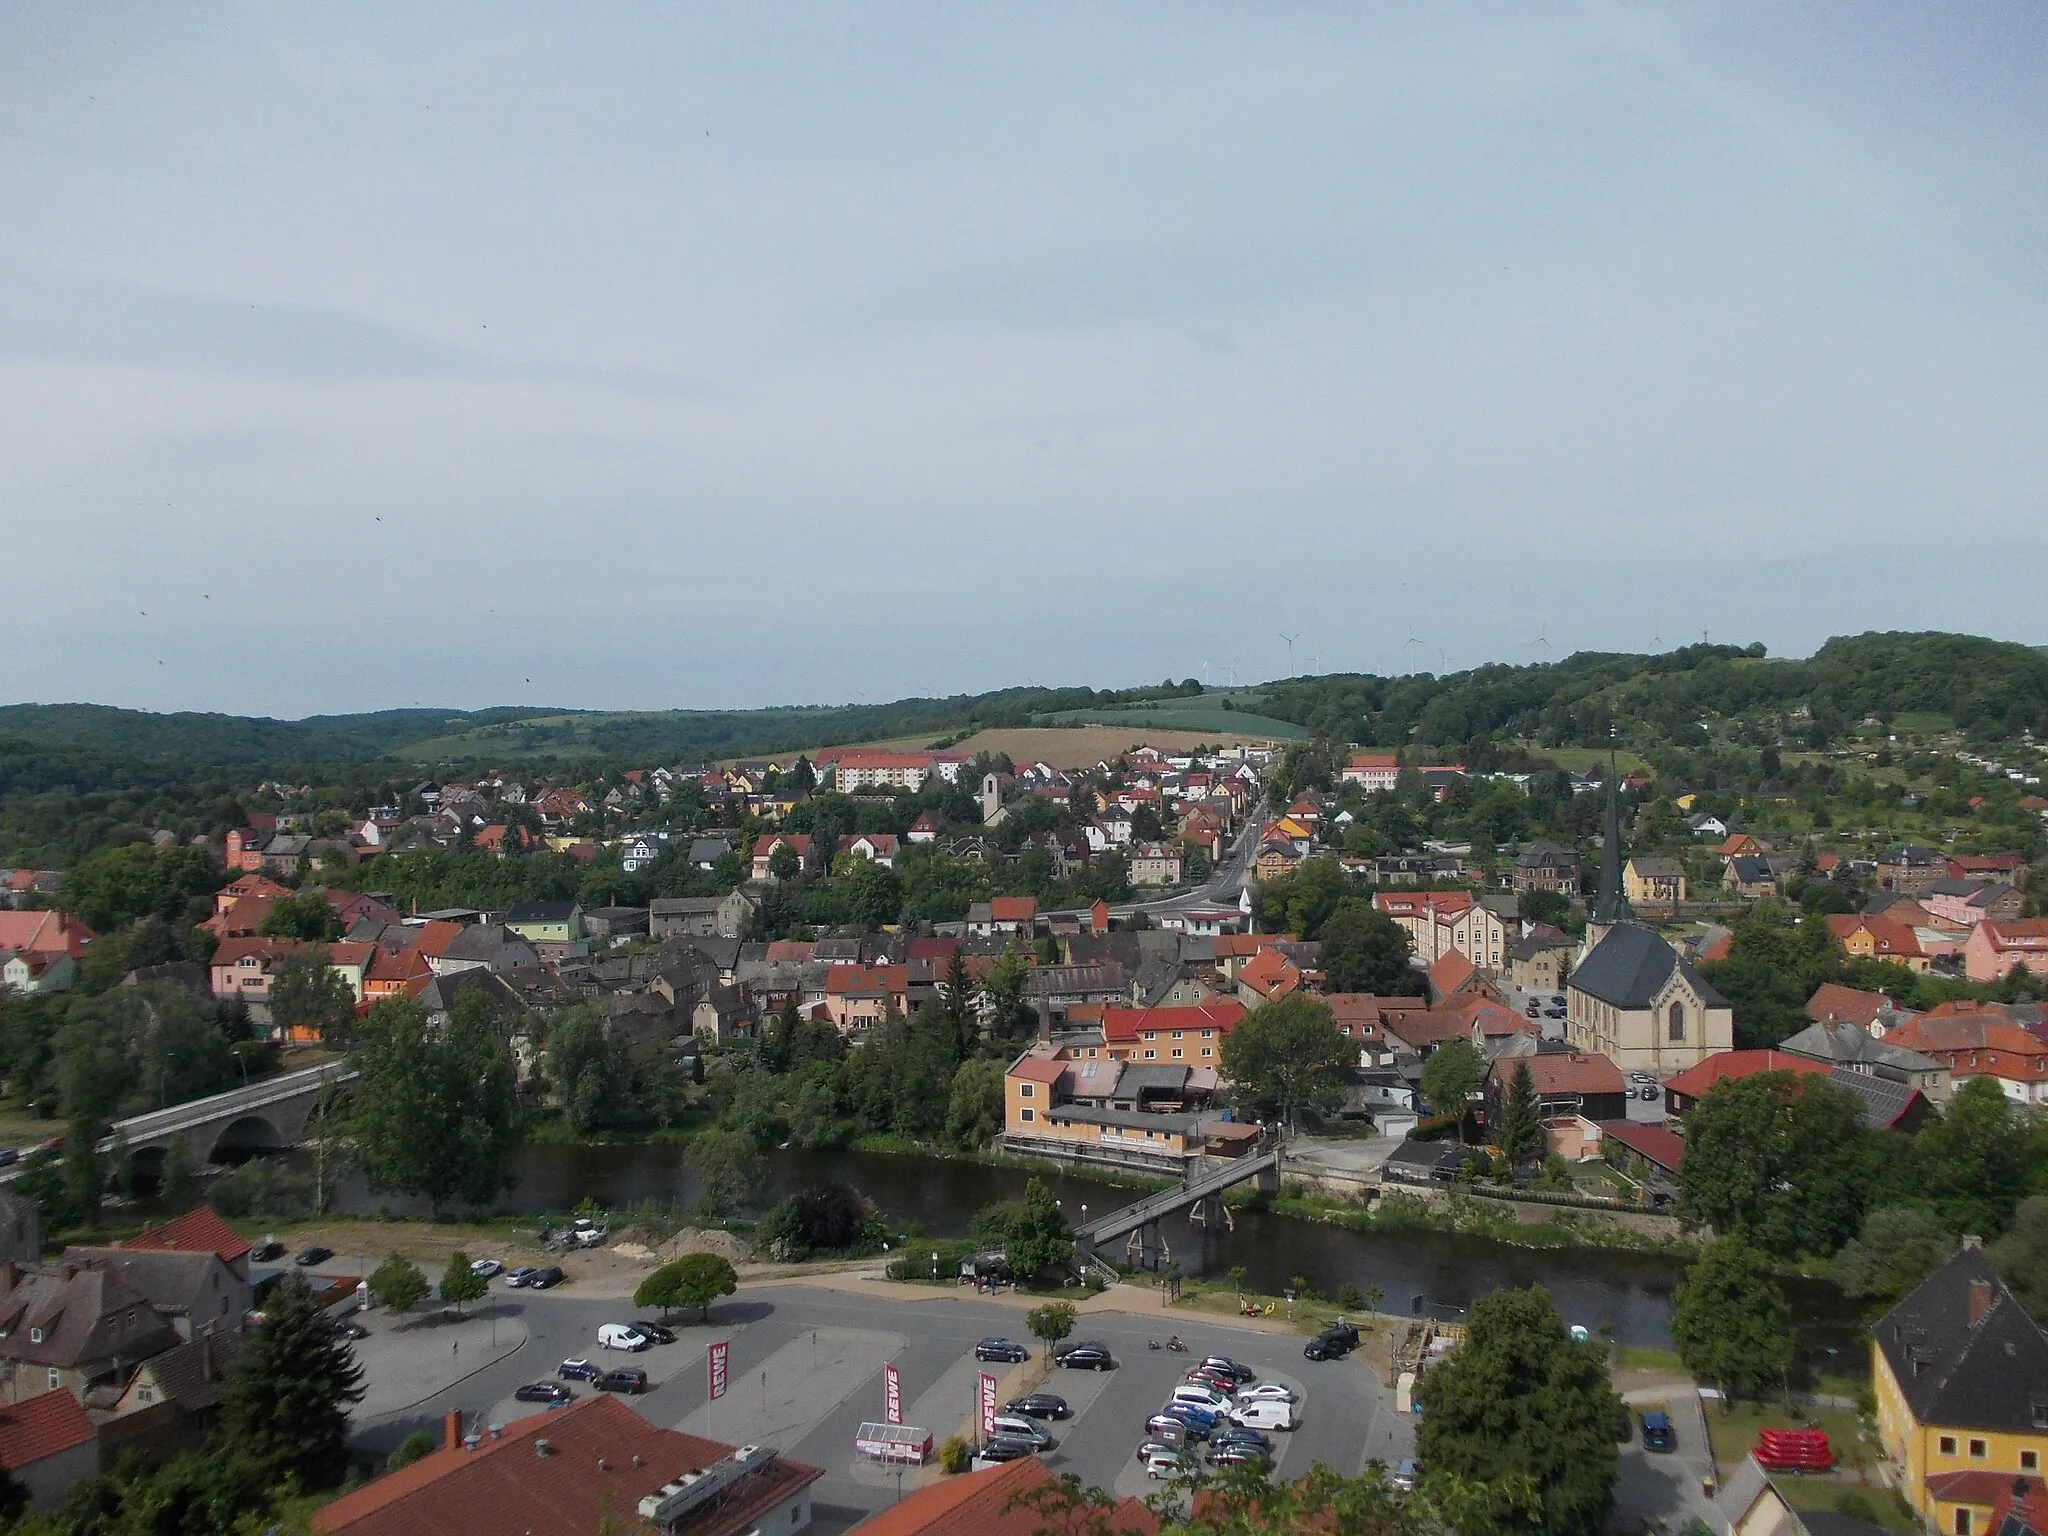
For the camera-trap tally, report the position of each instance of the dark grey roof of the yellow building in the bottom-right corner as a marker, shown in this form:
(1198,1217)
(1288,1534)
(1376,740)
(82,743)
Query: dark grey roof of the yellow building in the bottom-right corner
(1988,1375)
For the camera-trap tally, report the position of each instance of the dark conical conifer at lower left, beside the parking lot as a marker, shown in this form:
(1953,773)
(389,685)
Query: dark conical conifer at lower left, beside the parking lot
(288,1392)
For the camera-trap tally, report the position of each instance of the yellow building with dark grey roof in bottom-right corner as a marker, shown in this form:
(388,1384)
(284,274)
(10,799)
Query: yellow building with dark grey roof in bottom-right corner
(1961,1377)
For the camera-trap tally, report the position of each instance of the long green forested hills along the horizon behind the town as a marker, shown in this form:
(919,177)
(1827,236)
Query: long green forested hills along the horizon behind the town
(1990,689)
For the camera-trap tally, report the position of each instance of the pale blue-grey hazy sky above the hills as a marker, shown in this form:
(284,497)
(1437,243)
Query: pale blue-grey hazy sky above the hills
(658,357)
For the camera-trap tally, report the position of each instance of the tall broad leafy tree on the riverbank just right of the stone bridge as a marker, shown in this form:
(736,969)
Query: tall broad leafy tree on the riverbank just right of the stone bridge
(435,1115)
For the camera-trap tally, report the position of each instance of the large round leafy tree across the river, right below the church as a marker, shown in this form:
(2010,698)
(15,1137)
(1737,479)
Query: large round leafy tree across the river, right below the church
(1781,1160)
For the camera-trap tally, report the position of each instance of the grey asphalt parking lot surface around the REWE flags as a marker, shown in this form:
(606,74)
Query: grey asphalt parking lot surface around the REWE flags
(806,1373)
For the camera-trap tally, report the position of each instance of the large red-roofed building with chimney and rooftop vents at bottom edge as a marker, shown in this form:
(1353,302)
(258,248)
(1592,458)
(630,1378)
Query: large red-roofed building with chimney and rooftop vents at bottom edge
(581,1469)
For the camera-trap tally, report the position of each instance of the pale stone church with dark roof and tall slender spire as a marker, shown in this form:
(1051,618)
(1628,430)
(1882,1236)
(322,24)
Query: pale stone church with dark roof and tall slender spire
(1631,998)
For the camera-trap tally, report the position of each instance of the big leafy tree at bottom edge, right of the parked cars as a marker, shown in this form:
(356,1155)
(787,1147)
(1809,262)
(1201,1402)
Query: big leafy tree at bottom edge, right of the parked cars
(1521,1400)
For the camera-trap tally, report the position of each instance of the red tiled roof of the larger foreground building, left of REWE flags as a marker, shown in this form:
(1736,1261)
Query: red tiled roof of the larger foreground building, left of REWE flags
(507,1486)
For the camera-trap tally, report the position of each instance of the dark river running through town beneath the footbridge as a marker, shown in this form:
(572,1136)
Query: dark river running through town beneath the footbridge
(1625,1291)
